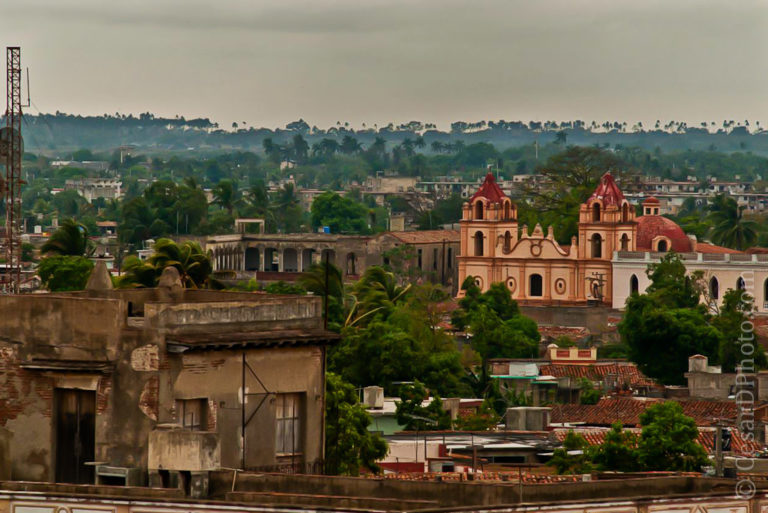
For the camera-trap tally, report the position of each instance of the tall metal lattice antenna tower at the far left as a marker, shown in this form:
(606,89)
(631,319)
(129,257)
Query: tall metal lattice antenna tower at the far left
(13,155)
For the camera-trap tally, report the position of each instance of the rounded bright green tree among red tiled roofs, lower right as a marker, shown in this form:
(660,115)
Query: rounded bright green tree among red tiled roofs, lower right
(668,440)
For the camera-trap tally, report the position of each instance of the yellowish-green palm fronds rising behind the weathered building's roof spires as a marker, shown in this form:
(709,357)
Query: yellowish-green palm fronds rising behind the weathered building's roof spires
(189,259)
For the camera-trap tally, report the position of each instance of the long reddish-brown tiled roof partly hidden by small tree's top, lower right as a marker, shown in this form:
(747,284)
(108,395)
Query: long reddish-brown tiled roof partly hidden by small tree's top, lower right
(628,410)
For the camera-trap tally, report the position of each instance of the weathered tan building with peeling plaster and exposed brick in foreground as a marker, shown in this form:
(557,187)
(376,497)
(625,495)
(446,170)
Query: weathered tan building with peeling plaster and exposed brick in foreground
(164,378)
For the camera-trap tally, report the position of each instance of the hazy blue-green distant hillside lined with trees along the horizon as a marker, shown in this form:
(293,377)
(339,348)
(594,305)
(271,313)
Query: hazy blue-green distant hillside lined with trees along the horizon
(56,134)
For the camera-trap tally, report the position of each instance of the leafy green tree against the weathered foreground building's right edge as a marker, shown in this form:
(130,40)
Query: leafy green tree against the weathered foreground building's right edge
(349,445)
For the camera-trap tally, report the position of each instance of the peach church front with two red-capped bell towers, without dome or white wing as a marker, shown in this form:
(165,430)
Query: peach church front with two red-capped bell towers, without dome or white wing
(534,267)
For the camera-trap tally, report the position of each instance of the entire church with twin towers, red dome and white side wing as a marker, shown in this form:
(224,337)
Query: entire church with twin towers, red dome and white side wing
(603,265)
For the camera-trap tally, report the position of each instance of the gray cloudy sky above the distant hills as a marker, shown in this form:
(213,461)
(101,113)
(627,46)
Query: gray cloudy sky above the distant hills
(268,62)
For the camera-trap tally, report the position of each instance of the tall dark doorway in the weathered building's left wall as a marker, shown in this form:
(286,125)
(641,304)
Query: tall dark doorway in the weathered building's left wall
(75,435)
